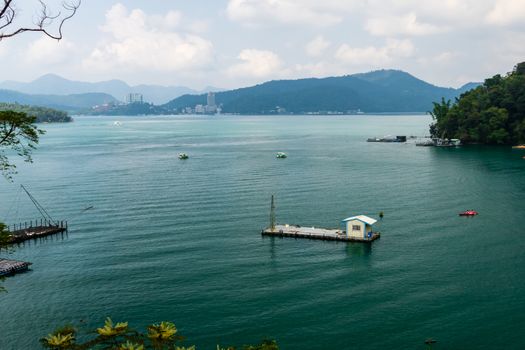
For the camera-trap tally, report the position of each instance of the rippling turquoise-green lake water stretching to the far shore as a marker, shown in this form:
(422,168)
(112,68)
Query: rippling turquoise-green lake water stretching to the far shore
(180,240)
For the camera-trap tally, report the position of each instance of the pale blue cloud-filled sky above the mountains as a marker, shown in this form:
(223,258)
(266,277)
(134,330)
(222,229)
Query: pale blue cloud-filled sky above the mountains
(236,43)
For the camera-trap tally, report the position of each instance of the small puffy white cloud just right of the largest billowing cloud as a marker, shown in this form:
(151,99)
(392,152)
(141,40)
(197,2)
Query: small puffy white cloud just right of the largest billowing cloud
(256,63)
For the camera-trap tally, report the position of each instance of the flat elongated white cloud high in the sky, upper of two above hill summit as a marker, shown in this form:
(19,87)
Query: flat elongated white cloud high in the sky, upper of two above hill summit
(404,25)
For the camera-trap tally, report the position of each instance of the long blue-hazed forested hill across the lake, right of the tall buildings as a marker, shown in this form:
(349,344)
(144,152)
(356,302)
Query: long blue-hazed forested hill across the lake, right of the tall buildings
(374,92)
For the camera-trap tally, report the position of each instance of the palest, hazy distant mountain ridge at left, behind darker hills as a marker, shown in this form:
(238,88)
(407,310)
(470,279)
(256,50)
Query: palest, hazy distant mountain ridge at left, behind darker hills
(51,84)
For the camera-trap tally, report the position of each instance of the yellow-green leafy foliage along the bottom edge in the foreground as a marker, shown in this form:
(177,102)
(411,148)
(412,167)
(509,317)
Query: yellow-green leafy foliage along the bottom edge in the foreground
(118,336)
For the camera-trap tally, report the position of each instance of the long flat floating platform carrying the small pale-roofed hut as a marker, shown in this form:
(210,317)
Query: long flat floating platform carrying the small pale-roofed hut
(316,233)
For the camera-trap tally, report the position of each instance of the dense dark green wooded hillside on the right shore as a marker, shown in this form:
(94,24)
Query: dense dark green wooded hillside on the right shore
(492,113)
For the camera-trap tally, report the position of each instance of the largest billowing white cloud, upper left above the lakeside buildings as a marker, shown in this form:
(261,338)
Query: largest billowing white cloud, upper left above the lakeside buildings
(139,41)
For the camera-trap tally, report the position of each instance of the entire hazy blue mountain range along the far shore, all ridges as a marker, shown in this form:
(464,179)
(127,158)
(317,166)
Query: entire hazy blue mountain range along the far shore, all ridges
(380,91)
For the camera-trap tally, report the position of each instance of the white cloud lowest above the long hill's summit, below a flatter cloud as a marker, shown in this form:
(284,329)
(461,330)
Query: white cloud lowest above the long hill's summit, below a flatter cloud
(376,56)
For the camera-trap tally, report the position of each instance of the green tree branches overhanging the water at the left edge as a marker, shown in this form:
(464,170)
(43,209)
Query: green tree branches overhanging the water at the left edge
(18,134)
